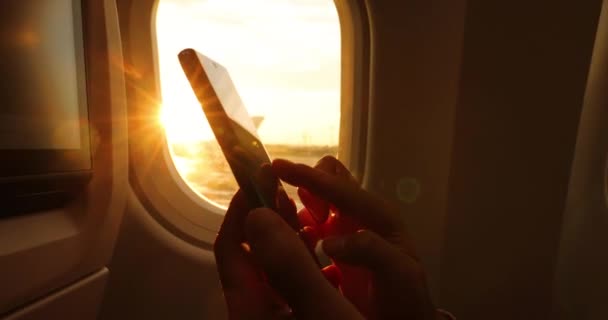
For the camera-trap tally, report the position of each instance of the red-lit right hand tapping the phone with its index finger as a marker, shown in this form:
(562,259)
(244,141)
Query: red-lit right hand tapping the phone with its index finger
(374,261)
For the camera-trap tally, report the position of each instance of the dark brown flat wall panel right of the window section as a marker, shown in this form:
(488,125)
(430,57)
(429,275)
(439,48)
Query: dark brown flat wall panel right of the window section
(523,79)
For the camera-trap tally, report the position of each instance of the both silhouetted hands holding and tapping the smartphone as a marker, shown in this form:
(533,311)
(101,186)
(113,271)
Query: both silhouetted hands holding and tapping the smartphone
(276,277)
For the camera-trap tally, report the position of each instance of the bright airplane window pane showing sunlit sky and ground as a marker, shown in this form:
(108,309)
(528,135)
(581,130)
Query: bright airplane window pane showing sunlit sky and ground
(284,58)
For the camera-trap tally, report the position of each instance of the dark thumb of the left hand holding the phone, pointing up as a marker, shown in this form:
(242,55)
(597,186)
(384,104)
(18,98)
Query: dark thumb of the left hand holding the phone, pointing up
(291,270)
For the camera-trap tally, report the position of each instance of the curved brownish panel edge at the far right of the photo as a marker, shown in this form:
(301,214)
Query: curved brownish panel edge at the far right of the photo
(580,287)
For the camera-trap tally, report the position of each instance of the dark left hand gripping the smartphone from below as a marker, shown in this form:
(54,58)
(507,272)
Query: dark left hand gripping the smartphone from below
(266,270)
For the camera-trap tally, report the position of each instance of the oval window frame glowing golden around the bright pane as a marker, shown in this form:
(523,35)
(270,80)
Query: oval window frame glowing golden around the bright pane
(153,175)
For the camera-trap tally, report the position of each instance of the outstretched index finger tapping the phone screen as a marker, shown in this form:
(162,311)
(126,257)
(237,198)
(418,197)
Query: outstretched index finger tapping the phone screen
(347,197)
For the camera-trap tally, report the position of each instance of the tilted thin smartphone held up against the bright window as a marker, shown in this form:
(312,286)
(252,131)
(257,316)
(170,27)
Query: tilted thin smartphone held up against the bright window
(232,126)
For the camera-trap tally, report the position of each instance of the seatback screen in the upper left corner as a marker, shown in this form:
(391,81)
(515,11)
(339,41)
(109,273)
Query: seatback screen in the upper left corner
(42,90)
